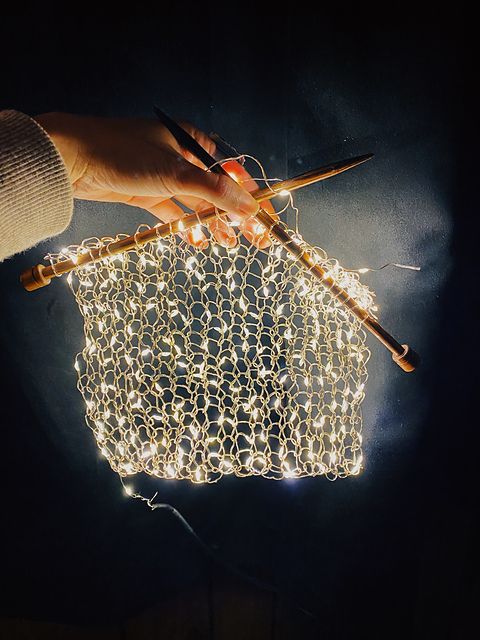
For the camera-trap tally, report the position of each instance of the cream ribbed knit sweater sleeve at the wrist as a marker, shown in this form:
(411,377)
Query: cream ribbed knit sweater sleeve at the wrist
(36,199)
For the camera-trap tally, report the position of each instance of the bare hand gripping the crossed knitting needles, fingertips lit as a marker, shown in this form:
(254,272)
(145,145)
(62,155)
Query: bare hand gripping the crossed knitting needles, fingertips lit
(139,163)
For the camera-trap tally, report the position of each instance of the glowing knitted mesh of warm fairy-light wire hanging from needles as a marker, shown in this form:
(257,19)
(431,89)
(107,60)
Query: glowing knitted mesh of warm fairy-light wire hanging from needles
(201,364)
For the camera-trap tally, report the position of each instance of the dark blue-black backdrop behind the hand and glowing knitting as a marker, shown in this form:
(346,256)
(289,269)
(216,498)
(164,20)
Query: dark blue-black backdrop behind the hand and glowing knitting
(388,554)
